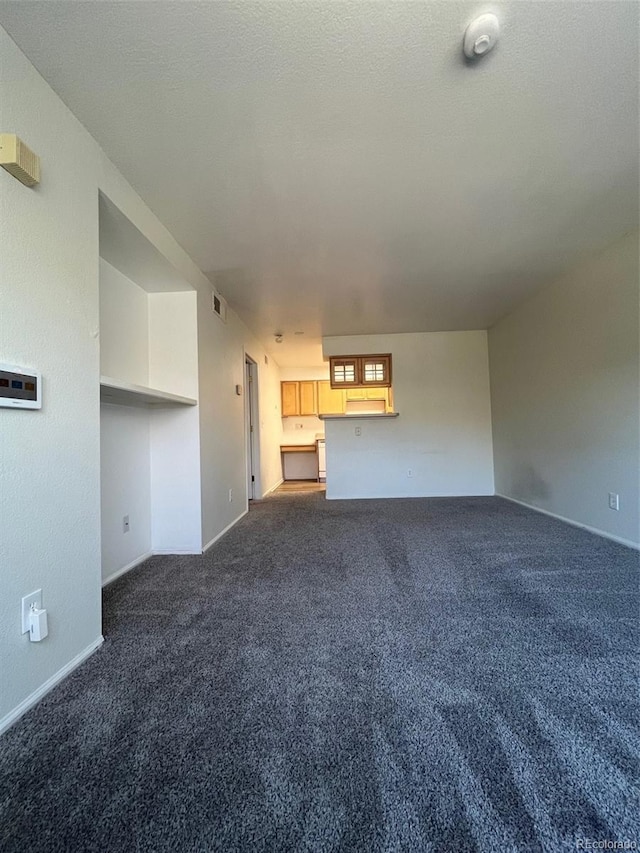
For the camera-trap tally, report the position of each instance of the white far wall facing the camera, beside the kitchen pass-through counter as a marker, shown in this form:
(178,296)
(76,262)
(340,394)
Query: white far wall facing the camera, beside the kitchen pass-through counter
(442,434)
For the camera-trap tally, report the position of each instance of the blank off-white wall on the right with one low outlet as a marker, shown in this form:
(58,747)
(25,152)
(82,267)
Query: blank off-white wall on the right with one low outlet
(565,395)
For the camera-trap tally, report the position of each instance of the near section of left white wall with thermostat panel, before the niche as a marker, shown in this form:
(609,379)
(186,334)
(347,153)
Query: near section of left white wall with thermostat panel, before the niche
(50,459)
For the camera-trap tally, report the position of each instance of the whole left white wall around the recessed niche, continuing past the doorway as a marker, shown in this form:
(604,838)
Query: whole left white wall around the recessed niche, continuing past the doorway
(50,459)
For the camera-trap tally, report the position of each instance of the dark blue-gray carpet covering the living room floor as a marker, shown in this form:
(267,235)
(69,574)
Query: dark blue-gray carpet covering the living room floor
(409,675)
